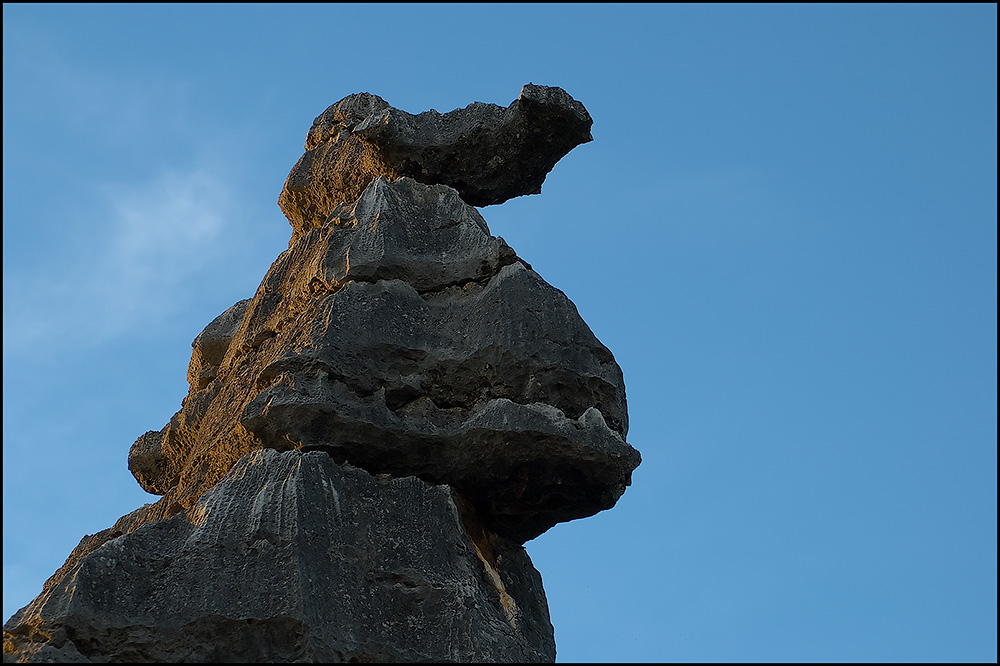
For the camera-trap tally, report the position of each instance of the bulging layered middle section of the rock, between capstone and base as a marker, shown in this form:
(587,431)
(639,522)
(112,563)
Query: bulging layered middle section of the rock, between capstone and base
(405,339)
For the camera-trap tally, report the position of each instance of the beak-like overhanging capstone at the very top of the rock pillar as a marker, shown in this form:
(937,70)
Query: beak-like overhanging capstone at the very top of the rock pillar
(486,152)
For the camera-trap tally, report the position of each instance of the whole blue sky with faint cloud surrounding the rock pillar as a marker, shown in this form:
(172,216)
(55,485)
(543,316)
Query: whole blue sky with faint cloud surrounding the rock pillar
(784,229)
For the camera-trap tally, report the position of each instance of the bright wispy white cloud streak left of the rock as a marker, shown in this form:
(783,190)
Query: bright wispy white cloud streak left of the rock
(150,243)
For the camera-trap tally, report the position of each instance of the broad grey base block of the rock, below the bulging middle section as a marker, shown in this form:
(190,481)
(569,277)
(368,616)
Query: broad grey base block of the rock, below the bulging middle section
(292,557)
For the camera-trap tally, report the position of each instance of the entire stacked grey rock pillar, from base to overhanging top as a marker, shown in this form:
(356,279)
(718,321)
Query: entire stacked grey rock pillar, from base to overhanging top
(368,441)
